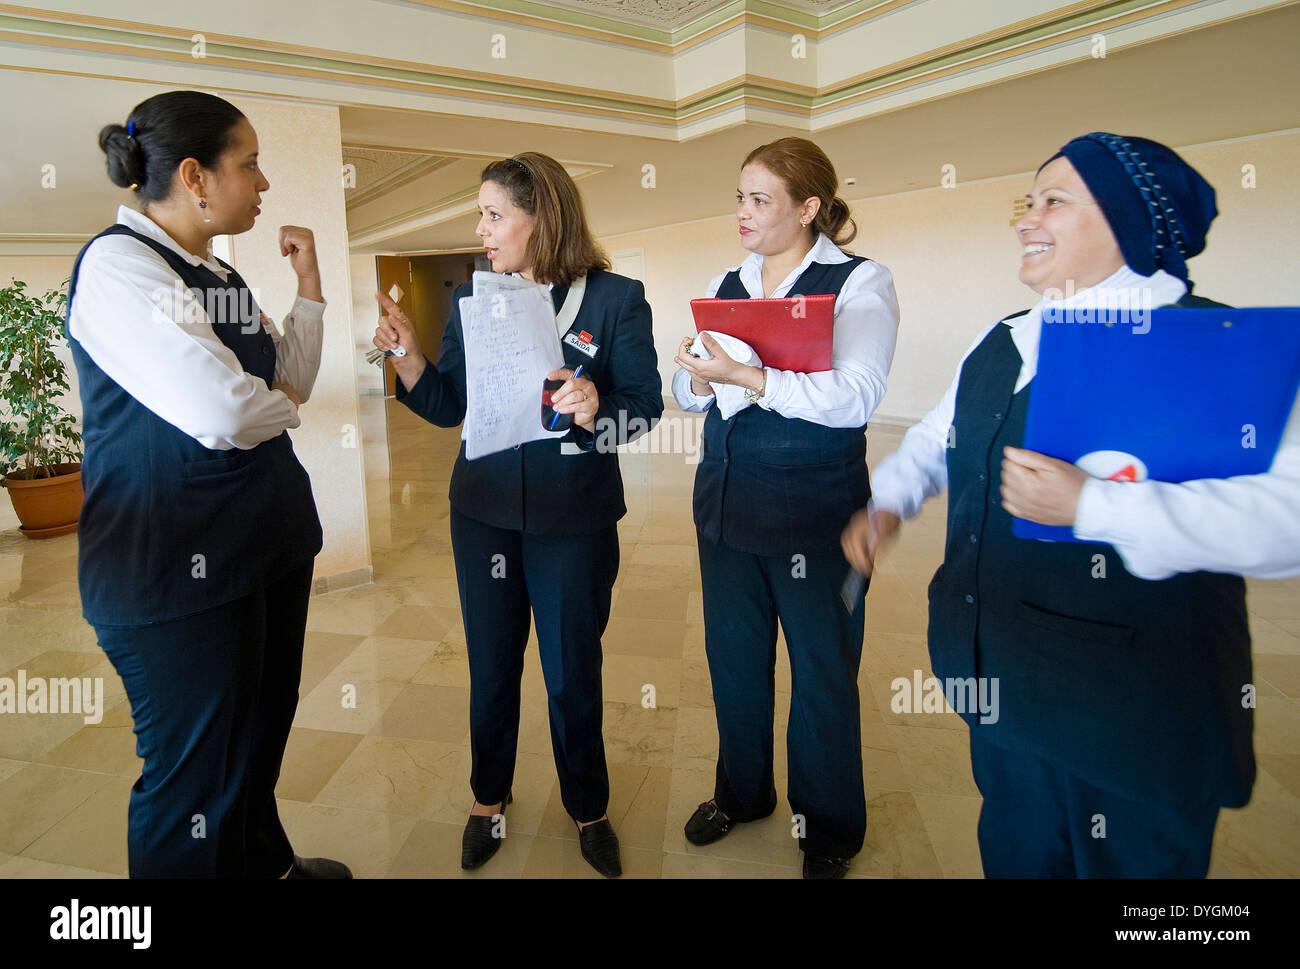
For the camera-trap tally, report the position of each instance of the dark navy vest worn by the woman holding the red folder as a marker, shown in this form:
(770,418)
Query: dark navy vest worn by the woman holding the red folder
(775,486)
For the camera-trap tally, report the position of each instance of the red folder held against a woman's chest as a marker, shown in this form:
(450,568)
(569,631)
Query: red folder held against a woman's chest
(788,335)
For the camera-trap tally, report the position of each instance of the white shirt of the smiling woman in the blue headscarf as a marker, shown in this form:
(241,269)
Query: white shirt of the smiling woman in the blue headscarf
(1249,525)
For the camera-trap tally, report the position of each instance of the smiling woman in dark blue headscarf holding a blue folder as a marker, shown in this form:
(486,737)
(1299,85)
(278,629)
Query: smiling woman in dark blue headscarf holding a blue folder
(1124,661)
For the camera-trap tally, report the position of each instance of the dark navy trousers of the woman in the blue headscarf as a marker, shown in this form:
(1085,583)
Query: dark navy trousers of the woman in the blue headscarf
(1039,821)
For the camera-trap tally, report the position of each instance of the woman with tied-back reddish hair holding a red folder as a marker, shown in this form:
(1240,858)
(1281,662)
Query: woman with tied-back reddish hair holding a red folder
(781,474)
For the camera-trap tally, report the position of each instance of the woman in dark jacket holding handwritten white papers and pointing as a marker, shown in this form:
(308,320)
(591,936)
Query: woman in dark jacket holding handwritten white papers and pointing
(534,527)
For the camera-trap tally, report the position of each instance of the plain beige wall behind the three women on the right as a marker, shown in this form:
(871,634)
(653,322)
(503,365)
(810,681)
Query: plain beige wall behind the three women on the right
(955,261)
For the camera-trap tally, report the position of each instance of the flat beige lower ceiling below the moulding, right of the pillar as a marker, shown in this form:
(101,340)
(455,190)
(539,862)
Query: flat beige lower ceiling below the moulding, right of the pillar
(1221,83)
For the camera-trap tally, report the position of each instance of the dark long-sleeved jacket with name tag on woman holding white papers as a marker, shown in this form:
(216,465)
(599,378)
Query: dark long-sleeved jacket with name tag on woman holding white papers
(536,488)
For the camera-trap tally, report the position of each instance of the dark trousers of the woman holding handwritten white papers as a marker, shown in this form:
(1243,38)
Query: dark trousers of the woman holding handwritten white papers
(567,585)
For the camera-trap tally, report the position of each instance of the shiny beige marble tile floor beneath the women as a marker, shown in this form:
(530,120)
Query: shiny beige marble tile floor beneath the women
(384,786)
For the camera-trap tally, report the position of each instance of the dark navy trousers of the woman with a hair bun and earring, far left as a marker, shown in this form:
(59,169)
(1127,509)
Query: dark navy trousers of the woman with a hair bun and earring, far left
(213,700)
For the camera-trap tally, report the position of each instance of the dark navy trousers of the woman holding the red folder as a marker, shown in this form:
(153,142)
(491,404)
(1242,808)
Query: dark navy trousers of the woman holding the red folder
(744,598)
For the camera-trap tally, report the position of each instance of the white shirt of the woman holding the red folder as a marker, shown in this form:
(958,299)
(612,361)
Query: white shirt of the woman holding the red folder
(866,330)
